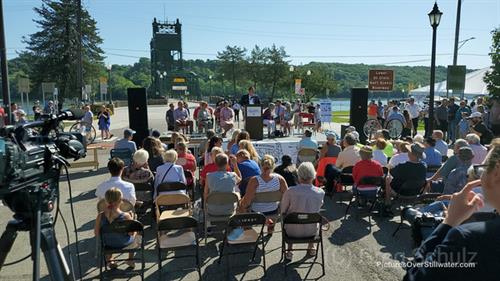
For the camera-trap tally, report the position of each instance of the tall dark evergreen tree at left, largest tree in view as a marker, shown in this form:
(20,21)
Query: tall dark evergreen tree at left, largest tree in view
(54,46)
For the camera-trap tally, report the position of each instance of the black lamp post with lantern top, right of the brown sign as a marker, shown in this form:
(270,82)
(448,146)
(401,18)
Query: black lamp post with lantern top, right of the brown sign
(434,18)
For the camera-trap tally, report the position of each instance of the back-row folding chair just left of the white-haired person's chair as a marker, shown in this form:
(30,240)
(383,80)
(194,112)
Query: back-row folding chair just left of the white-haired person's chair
(250,236)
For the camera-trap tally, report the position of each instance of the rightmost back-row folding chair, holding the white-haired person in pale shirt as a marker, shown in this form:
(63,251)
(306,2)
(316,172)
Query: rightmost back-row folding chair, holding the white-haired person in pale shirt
(303,219)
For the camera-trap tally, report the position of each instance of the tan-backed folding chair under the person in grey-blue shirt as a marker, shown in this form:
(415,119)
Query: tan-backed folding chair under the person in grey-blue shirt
(218,198)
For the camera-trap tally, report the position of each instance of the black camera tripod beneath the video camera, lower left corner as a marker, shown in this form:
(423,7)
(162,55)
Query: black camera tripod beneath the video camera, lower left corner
(42,236)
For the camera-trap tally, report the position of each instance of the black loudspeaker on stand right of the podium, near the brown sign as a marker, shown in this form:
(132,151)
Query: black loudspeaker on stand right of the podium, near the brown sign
(359,110)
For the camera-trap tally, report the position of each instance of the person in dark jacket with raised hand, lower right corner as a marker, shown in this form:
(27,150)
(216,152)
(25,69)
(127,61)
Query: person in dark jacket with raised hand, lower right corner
(454,242)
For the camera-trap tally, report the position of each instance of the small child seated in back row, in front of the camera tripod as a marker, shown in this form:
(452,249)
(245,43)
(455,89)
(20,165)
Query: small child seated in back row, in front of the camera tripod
(112,212)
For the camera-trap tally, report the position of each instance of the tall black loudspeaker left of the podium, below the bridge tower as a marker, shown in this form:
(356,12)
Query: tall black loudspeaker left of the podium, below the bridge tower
(138,114)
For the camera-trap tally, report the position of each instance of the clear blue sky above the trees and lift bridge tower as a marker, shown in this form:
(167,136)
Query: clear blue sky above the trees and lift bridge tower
(350,31)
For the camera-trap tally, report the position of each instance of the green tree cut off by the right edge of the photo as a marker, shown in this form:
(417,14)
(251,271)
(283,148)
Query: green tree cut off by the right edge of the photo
(492,78)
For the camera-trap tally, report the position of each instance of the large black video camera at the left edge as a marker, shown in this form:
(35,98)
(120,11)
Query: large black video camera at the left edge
(31,156)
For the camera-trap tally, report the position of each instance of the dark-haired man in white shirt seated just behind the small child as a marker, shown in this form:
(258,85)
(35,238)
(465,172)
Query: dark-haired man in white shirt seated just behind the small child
(115,167)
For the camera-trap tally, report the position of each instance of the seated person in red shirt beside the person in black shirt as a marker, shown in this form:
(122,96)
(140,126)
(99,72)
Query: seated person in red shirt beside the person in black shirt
(366,168)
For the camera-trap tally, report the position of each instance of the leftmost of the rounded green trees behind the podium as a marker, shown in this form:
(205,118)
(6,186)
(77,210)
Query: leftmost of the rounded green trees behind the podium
(232,61)
